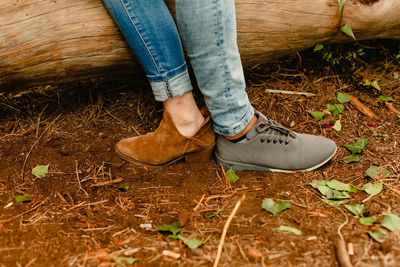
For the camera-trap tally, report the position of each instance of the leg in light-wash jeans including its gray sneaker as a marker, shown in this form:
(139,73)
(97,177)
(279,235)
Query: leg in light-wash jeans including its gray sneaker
(208,31)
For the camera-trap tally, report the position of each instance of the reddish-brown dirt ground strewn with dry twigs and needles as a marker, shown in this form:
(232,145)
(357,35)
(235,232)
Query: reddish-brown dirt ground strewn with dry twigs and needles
(78,216)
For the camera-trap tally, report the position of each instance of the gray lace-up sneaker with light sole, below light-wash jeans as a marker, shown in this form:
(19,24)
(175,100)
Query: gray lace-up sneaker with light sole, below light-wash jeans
(269,146)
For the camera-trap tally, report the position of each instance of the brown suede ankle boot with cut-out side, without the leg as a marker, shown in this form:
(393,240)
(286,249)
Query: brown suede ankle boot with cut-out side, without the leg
(166,145)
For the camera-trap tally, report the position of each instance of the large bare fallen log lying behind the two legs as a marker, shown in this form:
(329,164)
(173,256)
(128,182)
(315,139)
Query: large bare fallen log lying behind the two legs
(45,42)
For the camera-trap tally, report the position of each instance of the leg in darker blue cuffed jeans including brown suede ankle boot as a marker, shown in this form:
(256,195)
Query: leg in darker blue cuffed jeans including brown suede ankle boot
(151,33)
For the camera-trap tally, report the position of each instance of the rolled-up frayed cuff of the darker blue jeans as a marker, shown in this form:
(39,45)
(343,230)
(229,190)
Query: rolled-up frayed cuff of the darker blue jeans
(170,87)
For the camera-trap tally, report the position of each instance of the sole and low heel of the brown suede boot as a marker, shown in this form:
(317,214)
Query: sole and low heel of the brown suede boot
(195,157)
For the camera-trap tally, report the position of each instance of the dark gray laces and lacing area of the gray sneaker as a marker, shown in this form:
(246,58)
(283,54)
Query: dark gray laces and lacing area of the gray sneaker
(274,131)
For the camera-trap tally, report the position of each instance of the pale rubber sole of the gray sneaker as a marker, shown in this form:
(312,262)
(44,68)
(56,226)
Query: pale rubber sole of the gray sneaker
(238,166)
